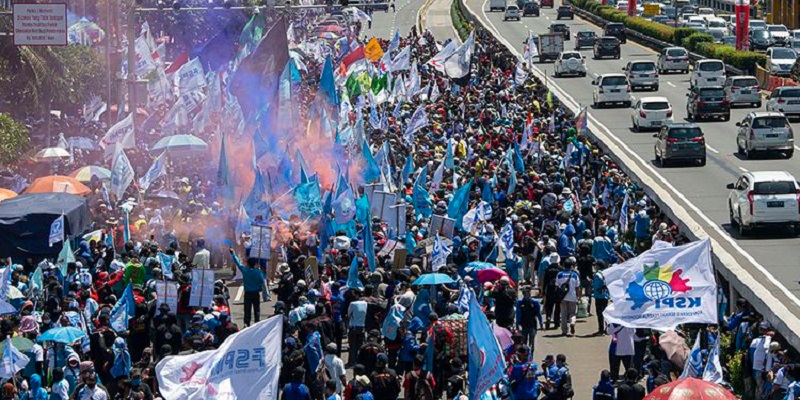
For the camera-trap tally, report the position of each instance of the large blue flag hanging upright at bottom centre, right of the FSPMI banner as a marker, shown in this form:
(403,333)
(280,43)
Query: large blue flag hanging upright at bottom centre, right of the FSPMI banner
(486,363)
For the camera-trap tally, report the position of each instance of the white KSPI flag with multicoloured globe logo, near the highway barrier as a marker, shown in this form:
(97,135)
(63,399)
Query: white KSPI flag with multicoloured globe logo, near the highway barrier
(664,287)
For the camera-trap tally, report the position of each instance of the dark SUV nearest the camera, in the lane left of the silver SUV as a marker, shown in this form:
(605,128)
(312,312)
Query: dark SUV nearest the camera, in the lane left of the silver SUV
(680,142)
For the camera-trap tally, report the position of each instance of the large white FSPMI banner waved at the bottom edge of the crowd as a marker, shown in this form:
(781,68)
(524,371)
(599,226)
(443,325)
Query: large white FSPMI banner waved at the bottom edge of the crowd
(245,366)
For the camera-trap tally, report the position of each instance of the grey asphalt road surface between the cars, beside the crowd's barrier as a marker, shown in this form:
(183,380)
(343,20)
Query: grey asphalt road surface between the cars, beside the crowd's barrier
(703,186)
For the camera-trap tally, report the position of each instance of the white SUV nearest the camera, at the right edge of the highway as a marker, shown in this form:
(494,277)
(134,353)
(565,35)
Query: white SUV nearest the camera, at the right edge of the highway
(764,199)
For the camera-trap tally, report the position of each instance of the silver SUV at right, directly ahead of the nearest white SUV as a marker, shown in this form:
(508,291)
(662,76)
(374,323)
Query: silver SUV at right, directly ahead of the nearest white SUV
(764,131)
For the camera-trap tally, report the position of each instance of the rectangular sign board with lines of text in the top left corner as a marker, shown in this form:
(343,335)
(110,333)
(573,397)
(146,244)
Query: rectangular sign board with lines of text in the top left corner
(40,24)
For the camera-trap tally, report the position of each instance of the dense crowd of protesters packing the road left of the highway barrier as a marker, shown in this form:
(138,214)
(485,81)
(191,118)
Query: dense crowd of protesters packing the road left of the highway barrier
(358,336)
